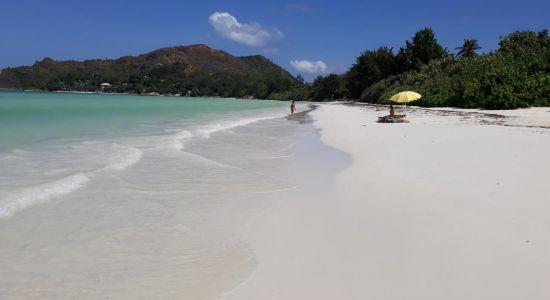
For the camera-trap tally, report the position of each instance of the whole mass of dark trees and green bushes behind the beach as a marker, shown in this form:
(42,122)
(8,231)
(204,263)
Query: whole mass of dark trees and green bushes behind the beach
(515,75)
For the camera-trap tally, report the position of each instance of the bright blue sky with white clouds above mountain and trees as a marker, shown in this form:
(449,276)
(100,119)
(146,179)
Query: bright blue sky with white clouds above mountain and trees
(320,36)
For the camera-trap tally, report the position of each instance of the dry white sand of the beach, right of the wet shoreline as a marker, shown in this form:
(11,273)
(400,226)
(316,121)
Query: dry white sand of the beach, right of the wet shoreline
(454,205)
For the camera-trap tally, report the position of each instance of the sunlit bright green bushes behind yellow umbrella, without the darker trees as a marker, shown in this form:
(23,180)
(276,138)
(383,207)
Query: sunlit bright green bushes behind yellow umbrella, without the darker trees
(517,75)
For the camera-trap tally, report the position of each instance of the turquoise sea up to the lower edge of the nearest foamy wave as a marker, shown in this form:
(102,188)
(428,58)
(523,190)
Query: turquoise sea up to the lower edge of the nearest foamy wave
(53,144)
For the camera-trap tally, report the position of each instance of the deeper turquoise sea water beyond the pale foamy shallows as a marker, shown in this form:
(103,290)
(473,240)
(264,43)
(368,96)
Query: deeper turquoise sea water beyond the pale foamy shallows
(31,119)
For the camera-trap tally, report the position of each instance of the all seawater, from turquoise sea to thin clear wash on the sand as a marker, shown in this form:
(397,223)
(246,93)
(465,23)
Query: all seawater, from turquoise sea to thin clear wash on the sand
(153,212)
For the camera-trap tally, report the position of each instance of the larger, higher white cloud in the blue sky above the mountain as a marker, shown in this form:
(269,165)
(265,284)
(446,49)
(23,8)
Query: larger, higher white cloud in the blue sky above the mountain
(251,34)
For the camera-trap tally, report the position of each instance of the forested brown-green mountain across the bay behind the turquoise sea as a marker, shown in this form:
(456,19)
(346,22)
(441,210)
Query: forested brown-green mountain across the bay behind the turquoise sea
(197,70)
